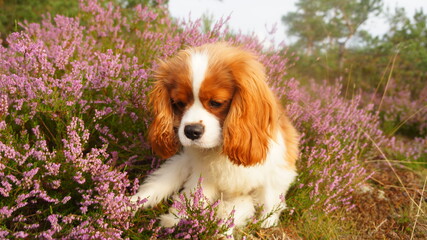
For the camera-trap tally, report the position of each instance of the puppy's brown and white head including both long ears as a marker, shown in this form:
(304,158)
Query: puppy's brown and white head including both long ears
(213,96)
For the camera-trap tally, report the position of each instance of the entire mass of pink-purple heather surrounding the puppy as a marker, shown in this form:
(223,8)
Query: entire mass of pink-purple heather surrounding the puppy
(73,118)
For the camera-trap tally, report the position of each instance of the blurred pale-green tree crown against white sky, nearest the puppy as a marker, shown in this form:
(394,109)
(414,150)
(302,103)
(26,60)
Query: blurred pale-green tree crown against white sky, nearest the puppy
(328,23)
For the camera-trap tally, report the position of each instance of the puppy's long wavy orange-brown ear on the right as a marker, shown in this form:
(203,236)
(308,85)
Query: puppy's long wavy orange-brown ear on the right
(252,118)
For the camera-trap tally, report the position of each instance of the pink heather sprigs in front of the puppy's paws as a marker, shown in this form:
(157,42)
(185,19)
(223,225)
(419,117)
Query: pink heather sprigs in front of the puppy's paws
(198,219)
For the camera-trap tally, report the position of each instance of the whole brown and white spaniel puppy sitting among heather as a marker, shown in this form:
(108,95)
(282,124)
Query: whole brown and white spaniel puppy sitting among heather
(216,118)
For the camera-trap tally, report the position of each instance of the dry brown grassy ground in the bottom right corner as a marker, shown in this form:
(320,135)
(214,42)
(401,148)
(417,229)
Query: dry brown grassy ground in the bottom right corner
(385,209)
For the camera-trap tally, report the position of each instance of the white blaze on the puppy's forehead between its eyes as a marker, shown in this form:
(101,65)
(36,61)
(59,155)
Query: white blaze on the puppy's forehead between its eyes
(198,66)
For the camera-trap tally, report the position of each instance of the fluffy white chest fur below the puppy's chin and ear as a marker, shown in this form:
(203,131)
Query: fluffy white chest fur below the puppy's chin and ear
(230,179)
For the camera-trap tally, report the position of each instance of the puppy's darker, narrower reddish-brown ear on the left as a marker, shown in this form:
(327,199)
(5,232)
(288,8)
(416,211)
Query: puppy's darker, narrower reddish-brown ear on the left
(161,134)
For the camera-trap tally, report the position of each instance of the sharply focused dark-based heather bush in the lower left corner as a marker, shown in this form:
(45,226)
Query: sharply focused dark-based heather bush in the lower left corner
(60,193)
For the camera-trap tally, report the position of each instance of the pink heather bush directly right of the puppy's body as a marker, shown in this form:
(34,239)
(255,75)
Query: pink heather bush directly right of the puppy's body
(335,137)
